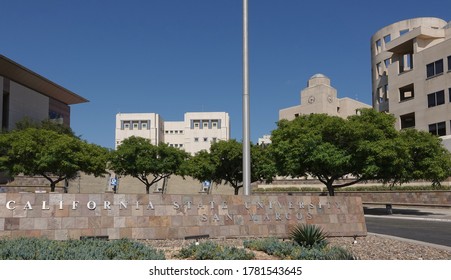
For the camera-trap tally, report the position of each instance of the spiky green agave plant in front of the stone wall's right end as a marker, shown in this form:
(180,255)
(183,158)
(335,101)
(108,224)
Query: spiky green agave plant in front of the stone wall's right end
(308,235)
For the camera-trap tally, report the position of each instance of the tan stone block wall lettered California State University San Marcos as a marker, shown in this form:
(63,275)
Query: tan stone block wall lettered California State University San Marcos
(71,216)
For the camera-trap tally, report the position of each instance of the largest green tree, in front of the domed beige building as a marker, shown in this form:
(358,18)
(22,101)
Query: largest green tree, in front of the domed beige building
(329,148)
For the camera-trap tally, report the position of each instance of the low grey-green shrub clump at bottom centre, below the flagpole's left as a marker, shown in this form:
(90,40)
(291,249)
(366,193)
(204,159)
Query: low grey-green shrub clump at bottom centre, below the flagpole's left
(209,250)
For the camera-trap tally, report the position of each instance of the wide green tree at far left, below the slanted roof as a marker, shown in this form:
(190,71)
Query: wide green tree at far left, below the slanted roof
(50,154)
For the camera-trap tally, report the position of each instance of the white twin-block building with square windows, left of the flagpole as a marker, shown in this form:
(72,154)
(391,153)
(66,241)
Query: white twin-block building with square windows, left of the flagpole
(195,133)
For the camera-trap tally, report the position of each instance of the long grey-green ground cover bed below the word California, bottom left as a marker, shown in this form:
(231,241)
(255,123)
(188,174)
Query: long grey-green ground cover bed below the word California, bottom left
(88,249)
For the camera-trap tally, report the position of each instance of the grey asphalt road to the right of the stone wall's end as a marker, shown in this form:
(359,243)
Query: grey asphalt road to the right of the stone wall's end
(435,232)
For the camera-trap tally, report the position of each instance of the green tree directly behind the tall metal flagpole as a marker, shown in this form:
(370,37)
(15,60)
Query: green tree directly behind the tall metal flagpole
(224,163)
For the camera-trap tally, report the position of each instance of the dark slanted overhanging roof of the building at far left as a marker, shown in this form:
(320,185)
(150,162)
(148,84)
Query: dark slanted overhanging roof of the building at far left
(22,75)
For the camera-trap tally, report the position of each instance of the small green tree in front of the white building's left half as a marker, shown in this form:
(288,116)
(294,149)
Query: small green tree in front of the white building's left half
(138,158)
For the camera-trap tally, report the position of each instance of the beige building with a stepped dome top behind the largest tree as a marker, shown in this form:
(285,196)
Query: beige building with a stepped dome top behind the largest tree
(320,97)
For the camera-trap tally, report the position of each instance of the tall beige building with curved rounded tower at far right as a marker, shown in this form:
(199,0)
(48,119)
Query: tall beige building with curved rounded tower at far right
(411,74)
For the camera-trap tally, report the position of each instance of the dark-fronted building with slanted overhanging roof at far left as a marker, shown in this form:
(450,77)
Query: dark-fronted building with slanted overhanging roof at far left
(25,93)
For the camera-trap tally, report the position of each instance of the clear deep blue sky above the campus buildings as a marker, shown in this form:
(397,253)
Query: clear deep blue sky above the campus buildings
(177,56)
